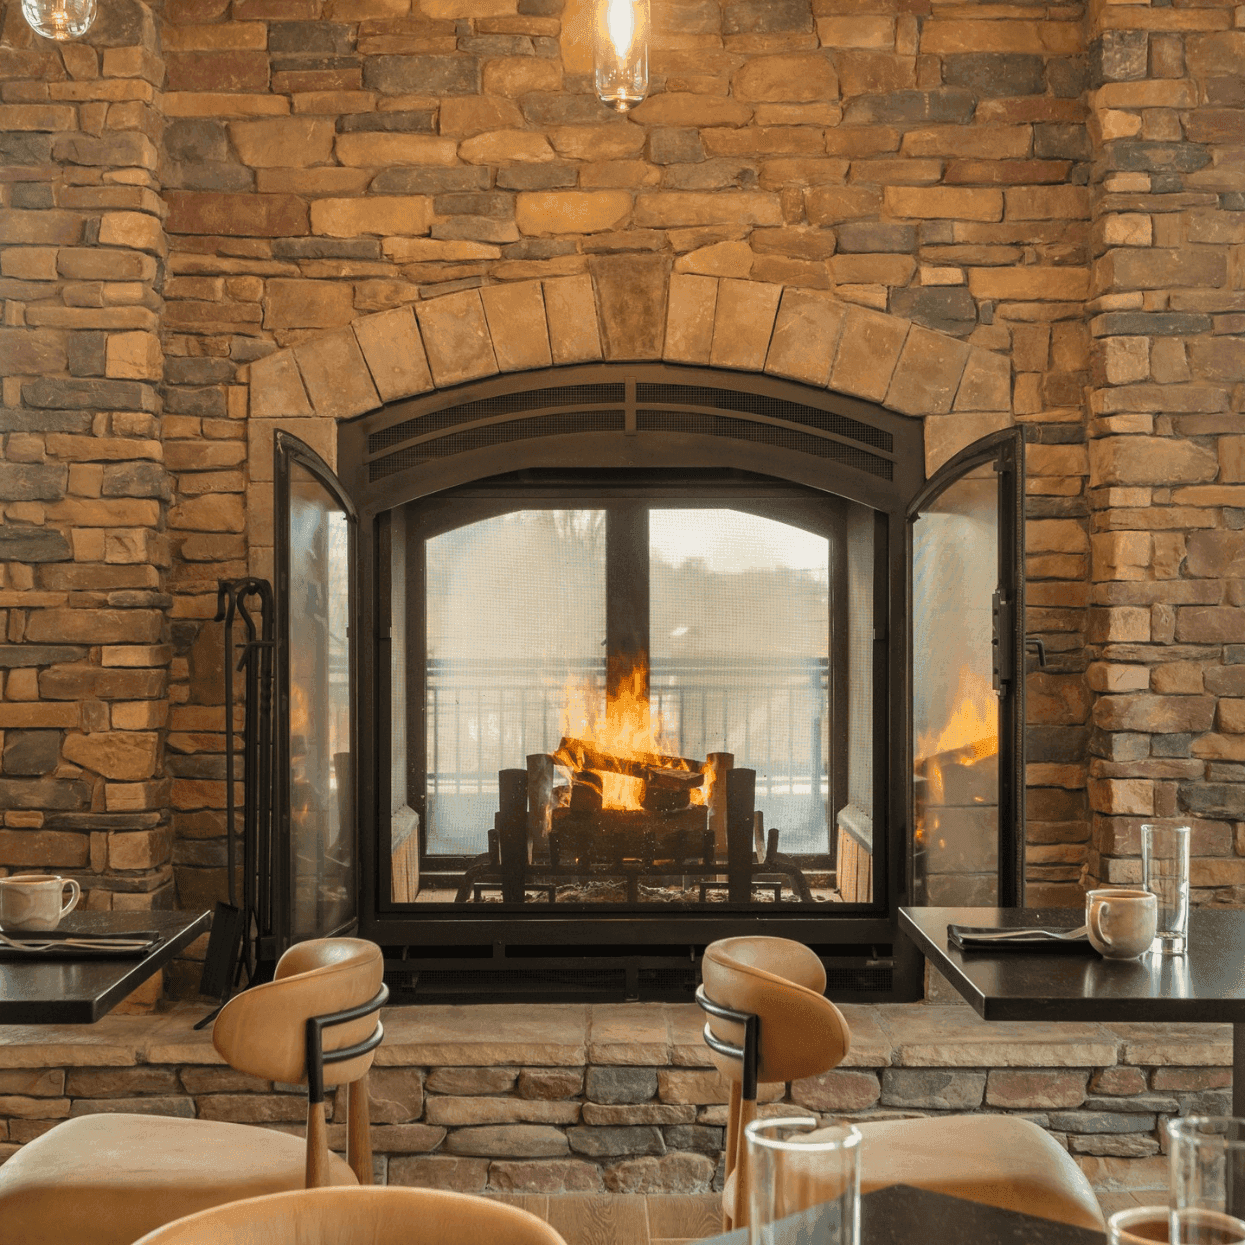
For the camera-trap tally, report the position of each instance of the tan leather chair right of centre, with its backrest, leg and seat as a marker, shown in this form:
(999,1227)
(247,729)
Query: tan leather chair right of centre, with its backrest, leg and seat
(769,1022)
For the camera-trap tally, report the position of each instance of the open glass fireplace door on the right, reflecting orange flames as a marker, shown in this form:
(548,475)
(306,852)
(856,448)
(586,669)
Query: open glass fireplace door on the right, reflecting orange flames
(968,679)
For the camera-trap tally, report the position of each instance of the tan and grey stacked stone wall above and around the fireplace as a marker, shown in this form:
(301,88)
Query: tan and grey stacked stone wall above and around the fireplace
(191,194)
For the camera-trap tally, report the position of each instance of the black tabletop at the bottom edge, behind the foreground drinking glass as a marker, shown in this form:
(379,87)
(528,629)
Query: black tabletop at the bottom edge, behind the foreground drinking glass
(903,1216)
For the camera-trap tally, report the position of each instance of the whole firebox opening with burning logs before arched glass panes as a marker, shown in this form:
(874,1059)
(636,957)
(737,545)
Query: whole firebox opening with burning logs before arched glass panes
(632,700)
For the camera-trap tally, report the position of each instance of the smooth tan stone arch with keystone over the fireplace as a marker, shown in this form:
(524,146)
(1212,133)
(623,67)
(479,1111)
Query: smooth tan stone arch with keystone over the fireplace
(626,311)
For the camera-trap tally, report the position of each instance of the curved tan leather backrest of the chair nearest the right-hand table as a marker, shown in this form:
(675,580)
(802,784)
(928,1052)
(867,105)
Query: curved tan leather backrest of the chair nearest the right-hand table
(802,1033)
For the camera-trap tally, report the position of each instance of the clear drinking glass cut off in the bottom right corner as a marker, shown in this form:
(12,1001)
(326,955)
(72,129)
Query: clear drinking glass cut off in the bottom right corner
(1208,1180)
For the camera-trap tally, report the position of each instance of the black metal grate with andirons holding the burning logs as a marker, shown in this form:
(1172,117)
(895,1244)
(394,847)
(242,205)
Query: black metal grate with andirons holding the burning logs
(547,835)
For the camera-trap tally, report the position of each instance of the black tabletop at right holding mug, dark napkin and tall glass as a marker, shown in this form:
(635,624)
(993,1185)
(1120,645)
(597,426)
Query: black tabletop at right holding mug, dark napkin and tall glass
(1205,987)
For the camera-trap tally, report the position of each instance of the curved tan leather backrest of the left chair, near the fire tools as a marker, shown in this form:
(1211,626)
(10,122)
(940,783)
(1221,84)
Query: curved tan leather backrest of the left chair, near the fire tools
(263,1031)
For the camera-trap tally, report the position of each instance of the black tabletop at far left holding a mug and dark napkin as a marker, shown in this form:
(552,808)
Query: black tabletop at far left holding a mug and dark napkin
(82,992)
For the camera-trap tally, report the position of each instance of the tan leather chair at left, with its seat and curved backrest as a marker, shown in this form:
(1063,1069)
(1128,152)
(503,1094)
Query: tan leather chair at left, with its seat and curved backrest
(108,1180)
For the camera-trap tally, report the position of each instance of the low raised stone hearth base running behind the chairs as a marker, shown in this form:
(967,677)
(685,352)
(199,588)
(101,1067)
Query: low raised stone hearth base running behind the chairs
(623,1099)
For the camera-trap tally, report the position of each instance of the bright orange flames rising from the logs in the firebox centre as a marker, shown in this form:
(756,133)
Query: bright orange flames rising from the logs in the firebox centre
(627,728)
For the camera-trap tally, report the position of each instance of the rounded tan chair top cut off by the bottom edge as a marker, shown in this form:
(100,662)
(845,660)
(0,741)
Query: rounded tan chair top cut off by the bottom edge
(359,1217)
